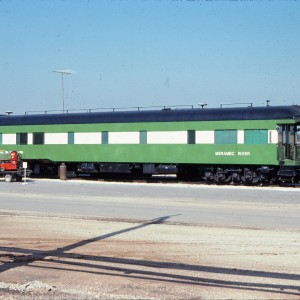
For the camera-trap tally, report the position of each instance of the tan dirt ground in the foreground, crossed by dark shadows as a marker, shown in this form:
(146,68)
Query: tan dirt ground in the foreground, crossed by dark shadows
(67,257)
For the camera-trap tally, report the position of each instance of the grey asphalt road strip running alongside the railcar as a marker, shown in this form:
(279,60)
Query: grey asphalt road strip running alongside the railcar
(255,207)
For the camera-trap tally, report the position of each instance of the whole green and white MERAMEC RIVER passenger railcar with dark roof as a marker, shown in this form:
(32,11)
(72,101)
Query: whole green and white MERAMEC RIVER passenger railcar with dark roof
(252,144)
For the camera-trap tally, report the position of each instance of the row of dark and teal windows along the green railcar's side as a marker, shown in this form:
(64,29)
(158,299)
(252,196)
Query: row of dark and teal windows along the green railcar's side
(258,136)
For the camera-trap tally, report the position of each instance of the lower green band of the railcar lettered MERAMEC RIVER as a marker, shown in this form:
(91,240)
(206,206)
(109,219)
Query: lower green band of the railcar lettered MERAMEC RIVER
(165,153)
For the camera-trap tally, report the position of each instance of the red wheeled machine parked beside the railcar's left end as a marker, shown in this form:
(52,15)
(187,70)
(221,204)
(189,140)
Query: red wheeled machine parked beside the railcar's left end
(11,166)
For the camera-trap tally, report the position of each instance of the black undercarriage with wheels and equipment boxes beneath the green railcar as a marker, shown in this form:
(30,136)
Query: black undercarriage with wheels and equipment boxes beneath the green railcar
(211,174)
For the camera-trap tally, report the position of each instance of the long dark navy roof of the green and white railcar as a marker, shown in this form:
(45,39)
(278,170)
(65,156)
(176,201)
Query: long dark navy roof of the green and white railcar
(172,115)
